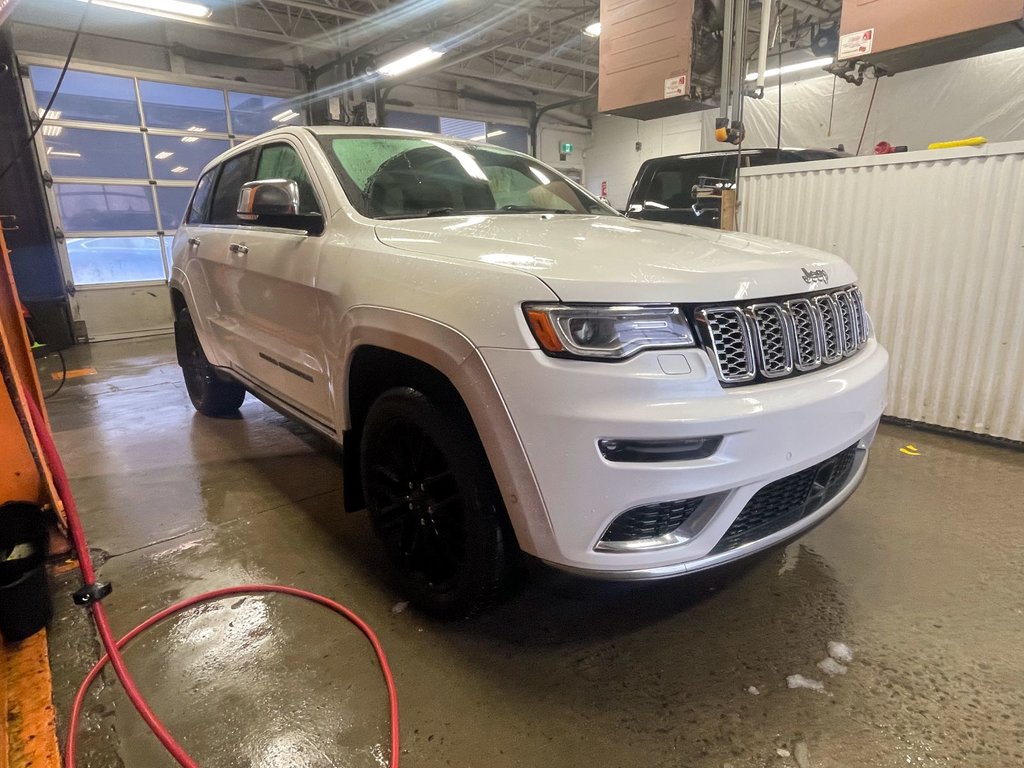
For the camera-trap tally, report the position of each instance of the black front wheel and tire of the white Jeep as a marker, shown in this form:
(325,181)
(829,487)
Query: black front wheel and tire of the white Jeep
(435,504)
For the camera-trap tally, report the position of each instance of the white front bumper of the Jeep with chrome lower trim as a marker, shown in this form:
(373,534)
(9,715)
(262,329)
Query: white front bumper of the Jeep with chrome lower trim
(562,409)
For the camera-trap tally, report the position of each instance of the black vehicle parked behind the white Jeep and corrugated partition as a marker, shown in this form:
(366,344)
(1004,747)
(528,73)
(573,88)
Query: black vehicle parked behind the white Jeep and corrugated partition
(664,187)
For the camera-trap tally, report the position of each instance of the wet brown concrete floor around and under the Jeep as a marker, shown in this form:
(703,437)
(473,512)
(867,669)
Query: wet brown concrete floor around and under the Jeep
(921,574)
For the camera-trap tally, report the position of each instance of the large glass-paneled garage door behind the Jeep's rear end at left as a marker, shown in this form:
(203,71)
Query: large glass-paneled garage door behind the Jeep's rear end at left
(120,154)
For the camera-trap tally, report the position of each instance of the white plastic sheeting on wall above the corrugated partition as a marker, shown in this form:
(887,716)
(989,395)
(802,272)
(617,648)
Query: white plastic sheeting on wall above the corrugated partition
(980,97)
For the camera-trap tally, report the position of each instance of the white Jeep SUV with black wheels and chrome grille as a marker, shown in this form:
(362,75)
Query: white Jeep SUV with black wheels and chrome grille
(511,366)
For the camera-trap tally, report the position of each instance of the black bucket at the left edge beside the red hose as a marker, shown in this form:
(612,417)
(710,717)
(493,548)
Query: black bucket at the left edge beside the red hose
(25,595)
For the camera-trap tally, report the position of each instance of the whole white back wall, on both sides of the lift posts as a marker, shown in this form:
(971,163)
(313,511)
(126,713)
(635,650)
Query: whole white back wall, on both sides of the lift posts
(977,97)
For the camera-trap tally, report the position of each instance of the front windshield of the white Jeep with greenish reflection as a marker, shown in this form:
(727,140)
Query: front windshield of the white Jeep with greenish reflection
(410,178)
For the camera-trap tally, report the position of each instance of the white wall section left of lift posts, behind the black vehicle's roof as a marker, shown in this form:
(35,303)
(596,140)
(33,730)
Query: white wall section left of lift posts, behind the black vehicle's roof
(613,159)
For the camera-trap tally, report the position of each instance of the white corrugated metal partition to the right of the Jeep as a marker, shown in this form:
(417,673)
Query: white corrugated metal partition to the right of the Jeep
(937,239)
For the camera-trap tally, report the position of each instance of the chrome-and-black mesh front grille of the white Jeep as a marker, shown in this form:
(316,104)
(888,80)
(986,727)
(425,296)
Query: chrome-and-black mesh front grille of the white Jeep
(775,339)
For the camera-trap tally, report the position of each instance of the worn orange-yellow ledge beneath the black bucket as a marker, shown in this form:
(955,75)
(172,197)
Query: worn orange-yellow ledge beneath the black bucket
(28,735)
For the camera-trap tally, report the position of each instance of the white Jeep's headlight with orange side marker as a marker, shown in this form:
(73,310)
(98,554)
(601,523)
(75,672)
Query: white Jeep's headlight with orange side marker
(610,332)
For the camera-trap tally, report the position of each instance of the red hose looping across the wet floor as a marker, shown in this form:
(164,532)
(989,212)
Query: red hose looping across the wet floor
(113,647)
